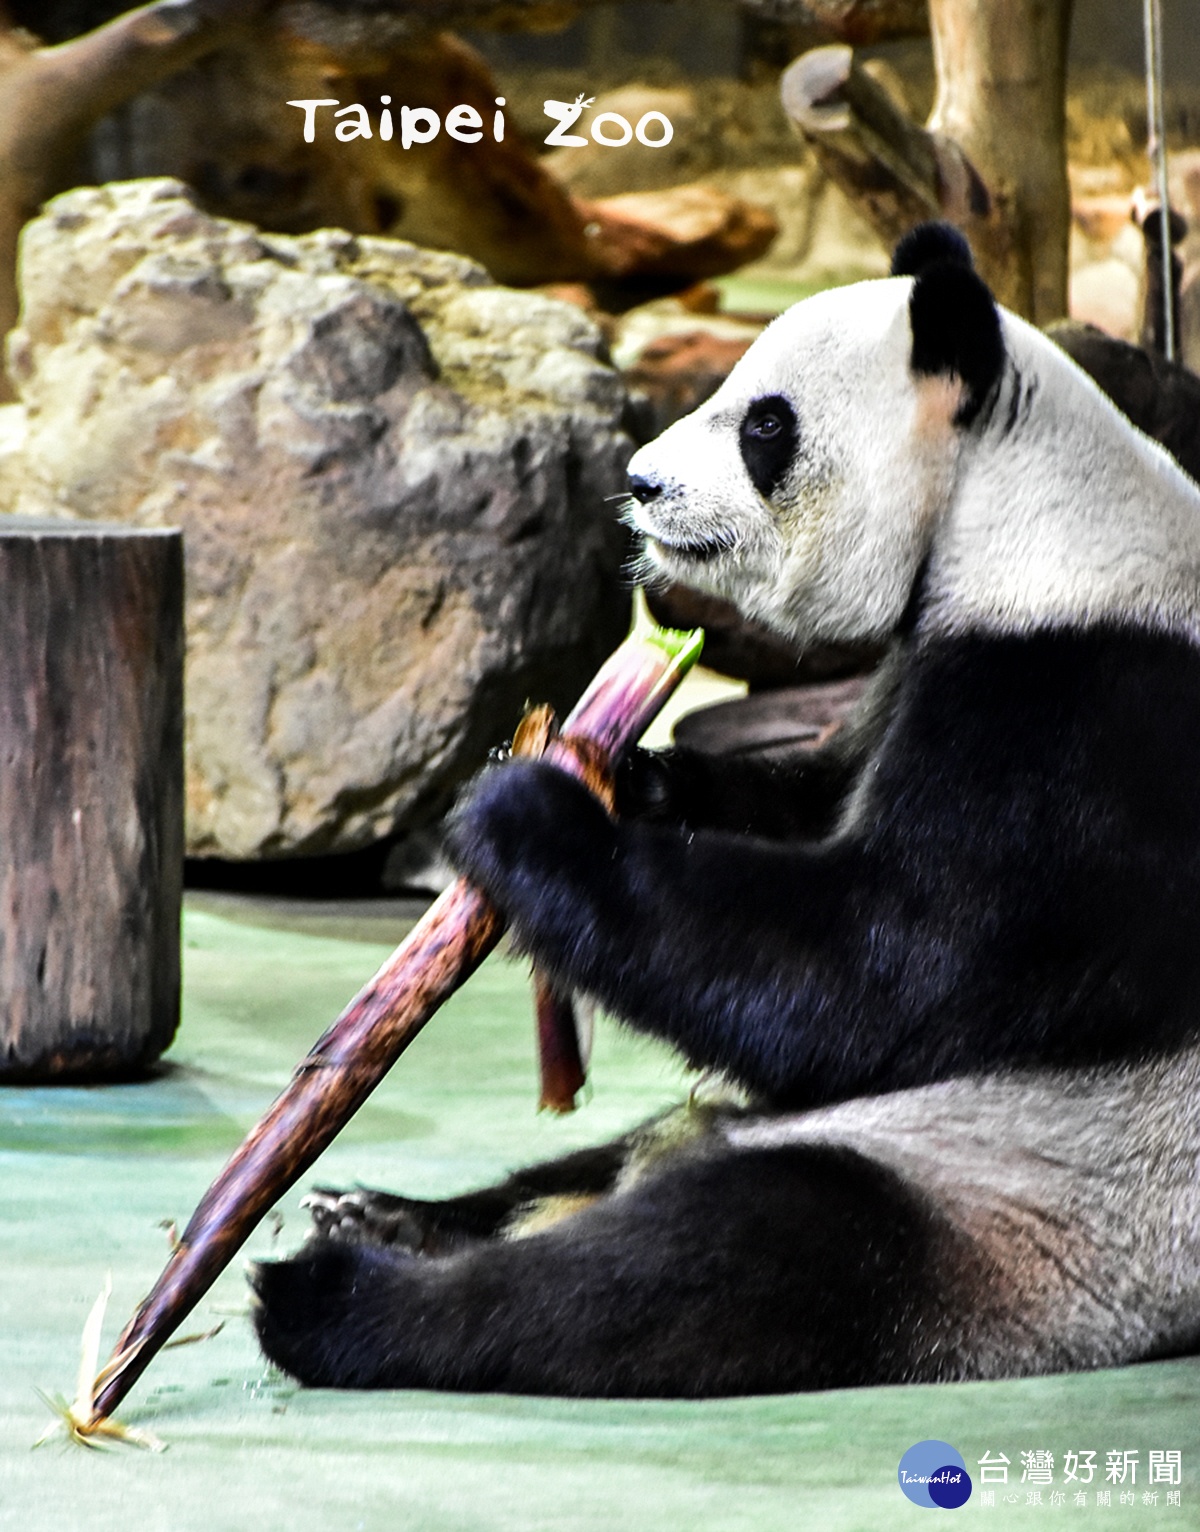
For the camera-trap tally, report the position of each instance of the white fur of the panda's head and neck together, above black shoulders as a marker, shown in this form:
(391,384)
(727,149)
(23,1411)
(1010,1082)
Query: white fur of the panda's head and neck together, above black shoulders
(1063,514)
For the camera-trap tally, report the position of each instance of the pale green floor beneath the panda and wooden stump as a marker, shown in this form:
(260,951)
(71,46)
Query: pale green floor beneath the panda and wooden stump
(88,1174)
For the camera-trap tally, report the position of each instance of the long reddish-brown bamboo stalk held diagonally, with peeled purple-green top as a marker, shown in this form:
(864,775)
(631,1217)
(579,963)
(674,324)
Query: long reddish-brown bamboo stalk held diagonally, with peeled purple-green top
(367,1039)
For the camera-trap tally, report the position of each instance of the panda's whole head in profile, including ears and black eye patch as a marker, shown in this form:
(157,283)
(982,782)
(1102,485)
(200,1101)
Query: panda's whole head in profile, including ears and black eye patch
(808,488)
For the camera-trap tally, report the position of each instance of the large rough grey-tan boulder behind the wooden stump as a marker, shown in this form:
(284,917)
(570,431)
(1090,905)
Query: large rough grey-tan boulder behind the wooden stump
(392,476)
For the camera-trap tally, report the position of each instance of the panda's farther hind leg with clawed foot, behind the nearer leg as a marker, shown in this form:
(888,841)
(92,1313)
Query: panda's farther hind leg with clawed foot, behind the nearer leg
(531,1197)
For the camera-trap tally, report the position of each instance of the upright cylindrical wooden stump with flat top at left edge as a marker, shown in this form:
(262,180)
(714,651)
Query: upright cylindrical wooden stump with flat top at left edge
(91,797)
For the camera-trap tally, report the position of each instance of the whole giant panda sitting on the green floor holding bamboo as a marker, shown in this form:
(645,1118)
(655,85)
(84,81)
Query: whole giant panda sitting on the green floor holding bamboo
(952,960)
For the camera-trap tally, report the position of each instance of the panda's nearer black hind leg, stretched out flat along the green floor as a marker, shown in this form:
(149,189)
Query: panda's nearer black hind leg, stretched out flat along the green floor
(716,1272)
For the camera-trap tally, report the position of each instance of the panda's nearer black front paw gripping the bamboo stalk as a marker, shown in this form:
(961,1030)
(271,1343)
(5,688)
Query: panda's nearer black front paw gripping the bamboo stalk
(526,834)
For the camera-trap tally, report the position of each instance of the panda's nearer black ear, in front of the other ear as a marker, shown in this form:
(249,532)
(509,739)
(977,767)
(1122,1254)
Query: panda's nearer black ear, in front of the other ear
(956,326)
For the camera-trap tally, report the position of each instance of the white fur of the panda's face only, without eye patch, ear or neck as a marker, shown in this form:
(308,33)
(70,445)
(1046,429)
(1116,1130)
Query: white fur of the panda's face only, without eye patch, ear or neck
(836,557)
